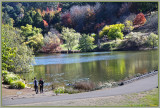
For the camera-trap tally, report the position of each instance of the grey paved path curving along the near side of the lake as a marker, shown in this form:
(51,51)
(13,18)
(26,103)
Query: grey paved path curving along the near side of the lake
(135,87)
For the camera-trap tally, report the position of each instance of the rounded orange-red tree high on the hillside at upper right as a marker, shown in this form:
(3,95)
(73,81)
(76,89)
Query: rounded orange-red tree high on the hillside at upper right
(140,19)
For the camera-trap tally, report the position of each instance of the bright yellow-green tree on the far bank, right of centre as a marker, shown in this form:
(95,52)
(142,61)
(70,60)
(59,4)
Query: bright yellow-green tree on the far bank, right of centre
(112,32)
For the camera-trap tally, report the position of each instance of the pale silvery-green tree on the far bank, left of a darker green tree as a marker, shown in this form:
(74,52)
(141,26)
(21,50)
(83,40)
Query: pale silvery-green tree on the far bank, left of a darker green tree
(71,37)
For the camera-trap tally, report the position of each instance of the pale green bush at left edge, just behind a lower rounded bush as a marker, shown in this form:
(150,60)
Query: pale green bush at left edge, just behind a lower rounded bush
(9,78)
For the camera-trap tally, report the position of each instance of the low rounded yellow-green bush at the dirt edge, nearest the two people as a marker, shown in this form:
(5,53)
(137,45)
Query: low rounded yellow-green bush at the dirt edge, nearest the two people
(17,85)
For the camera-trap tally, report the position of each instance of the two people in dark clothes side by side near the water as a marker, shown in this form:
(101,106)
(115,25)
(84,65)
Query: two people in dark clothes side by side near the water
(41,82)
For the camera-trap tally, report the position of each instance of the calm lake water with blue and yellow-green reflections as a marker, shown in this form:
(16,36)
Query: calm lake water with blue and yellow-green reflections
(98,67)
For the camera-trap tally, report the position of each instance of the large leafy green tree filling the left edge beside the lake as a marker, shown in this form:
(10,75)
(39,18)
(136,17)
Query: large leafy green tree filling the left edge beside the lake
(16,56)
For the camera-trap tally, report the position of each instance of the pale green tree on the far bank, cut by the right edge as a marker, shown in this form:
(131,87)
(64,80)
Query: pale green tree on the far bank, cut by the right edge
(153,40)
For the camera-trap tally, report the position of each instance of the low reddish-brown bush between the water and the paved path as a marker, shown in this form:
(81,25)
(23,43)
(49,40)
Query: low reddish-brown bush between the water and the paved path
(87,86)
